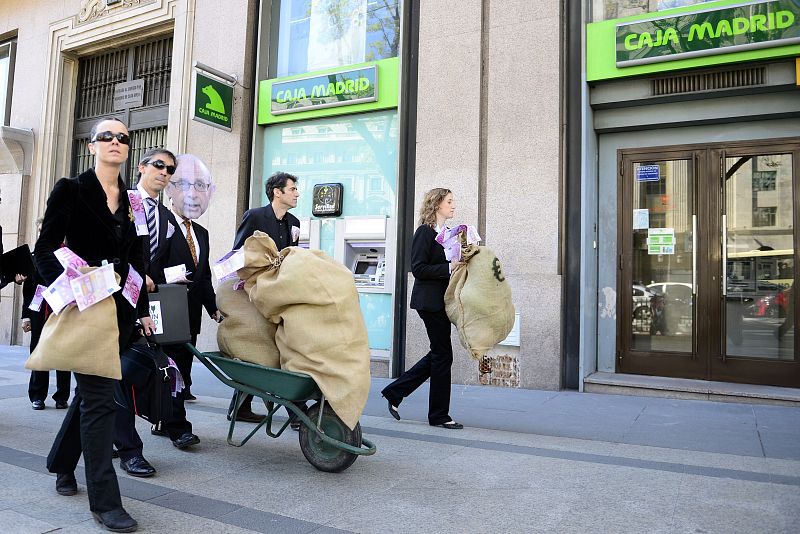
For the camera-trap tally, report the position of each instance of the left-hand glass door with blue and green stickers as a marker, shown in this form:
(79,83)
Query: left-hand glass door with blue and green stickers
(658,241)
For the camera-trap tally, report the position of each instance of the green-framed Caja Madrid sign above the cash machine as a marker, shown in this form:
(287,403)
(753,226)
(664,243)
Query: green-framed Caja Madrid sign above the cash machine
(354,89)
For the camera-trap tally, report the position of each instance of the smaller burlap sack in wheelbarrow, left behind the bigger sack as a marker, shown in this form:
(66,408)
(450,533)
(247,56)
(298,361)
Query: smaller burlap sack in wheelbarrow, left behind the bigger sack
(245,333)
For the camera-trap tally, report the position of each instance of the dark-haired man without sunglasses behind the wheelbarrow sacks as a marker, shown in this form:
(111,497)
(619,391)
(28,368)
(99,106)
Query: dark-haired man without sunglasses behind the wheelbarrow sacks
(283,227)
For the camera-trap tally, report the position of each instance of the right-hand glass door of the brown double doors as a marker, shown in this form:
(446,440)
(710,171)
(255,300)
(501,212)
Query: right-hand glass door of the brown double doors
(758,262)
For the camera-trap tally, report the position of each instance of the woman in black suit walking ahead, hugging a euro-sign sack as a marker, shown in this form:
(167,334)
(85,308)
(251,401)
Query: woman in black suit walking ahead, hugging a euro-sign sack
(431,272)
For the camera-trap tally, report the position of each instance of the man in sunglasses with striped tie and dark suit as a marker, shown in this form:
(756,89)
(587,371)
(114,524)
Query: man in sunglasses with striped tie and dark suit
(155,169)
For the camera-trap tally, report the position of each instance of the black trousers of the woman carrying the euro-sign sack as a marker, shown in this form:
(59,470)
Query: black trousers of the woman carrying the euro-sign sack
(434,365)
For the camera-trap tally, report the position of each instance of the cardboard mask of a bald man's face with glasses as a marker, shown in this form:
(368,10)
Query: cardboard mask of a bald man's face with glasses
(190,188)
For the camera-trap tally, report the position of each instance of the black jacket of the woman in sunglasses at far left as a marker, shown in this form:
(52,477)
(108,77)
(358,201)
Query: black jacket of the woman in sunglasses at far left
(77,214)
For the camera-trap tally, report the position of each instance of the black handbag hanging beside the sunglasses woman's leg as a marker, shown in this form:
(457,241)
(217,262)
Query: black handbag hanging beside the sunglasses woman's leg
(146,385)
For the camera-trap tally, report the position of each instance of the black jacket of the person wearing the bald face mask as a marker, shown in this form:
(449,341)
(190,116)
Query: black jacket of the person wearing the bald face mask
(201,292)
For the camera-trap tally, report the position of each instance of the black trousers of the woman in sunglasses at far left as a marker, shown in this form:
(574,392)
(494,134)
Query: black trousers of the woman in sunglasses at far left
(88,427)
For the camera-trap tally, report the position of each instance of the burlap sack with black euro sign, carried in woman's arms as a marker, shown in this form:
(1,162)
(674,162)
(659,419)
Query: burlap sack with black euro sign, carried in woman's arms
(478,301)
